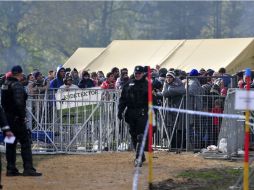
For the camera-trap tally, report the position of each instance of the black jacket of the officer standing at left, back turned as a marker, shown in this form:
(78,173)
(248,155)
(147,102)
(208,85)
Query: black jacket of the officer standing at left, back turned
(13,99)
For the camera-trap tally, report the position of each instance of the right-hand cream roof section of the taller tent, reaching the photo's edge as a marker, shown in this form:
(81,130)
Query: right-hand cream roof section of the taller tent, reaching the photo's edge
(212,53)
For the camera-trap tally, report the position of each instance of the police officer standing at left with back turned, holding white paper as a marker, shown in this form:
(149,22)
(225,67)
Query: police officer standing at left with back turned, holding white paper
(13,100)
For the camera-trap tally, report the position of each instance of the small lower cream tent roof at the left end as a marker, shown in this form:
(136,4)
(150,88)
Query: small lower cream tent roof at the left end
(82,57)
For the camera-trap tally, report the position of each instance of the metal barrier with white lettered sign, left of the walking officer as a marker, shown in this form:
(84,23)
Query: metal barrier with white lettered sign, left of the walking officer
(76,121)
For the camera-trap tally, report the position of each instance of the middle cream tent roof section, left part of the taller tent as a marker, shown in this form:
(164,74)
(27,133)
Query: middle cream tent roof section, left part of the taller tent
(129,53)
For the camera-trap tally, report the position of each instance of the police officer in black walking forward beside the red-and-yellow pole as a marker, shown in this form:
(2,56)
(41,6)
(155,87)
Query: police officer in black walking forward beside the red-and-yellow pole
(134,97)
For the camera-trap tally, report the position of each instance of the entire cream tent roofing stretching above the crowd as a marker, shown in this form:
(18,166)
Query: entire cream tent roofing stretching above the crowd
(232,53)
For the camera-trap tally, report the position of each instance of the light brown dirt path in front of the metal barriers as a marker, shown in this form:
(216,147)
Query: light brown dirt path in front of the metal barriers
(107,171)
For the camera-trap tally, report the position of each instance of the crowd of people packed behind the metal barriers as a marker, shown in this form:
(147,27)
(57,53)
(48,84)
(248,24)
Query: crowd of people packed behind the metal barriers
(209,81)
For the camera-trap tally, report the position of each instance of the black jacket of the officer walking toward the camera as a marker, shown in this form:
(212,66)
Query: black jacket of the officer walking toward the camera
(134,95)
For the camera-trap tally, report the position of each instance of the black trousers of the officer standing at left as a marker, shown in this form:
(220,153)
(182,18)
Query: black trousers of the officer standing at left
(21,133)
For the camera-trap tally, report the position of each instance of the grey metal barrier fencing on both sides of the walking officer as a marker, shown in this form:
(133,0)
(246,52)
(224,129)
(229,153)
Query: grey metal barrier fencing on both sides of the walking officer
(77,121)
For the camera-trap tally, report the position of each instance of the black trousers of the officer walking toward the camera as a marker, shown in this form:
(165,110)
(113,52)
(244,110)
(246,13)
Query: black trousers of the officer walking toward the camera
(137,120)
